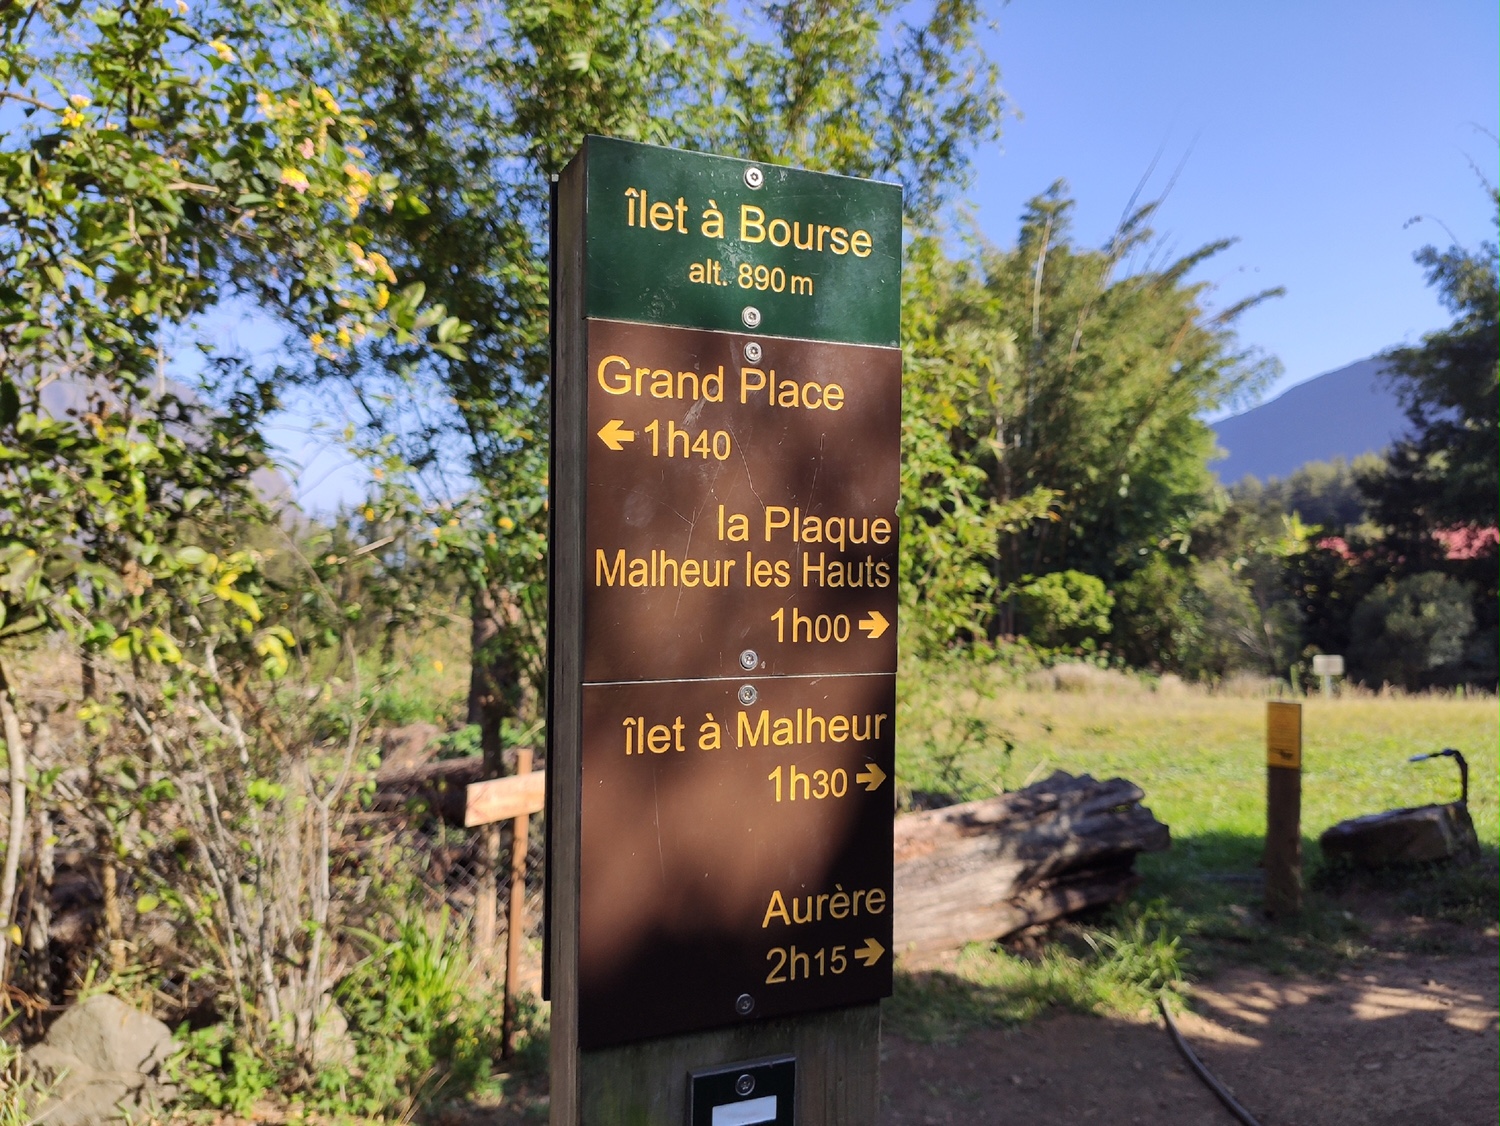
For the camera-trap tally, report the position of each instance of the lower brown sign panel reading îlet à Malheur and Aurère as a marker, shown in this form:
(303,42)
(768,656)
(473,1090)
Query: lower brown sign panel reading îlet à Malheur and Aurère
(736,851)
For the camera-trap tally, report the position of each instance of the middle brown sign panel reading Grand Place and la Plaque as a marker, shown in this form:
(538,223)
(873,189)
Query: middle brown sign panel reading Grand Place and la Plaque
(742,497)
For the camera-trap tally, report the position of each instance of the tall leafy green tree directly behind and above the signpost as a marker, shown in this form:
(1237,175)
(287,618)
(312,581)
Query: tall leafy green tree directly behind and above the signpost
(475,107)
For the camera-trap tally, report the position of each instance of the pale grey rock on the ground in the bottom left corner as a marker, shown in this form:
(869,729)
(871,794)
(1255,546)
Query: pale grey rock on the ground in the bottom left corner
(98,1064)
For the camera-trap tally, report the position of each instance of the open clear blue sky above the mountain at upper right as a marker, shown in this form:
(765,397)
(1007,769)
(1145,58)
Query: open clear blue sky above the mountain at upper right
(1310,131)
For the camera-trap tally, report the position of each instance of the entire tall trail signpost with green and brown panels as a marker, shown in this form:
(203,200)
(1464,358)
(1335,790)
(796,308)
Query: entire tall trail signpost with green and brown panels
(725,481)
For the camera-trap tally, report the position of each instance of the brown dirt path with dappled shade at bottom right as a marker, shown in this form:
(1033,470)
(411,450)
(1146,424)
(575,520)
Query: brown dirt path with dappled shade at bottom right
(1405,1040)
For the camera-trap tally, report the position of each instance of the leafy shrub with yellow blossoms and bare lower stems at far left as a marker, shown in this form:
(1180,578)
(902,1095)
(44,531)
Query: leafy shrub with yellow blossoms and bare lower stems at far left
(149,169)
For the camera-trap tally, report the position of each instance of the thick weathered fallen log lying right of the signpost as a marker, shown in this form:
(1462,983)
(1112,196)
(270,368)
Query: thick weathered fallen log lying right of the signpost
(985,870)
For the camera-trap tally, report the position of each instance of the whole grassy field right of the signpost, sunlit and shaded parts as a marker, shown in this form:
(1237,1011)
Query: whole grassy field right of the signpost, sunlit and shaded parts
(1201,761)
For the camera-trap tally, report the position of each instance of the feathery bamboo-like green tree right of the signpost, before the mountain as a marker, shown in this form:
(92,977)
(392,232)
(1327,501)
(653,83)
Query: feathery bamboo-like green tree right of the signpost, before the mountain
(1102,374)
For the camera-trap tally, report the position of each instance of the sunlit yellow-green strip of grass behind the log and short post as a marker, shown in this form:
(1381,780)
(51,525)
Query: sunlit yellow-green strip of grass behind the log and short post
(1201,756)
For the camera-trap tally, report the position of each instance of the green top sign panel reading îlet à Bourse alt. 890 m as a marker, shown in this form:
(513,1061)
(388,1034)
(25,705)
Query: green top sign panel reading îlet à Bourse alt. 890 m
(710,242)
